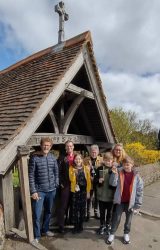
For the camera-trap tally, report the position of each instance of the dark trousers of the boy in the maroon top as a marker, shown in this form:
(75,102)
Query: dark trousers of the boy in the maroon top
(118,210)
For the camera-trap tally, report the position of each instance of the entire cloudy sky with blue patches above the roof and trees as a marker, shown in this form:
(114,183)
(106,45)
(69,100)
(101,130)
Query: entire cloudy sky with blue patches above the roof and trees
(126,39)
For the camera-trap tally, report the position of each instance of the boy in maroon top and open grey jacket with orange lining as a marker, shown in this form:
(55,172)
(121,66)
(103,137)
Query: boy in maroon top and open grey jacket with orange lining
(127,198)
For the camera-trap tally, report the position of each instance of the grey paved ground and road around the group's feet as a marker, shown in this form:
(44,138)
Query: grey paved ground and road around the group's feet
(145,233)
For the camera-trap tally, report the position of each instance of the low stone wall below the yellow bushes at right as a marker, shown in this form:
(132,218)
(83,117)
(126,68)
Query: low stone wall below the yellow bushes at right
(149,173)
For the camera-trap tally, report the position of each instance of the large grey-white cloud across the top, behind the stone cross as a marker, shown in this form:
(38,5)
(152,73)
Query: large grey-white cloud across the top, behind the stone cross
(126,33)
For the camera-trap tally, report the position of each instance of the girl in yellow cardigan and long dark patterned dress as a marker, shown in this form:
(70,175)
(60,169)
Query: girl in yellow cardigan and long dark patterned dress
(80,179)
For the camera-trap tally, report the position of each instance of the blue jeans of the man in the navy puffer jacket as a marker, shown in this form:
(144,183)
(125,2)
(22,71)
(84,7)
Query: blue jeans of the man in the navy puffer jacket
(46,202)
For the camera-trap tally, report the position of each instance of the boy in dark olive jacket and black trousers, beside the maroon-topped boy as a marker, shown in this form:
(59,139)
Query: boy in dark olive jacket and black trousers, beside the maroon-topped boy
(105,193)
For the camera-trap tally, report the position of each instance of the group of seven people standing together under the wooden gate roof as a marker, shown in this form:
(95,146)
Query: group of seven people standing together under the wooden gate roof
(107,181)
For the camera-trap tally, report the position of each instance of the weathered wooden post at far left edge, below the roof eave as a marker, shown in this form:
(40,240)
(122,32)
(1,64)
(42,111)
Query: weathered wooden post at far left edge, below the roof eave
(7,199)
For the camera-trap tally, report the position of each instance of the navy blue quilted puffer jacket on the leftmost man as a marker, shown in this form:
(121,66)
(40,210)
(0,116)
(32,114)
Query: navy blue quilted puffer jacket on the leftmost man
(43,173)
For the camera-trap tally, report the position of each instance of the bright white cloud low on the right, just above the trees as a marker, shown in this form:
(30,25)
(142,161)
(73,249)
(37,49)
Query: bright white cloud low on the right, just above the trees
(132,92)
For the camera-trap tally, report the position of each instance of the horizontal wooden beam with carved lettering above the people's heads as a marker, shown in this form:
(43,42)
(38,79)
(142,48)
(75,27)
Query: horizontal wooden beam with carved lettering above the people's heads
(60,138)
